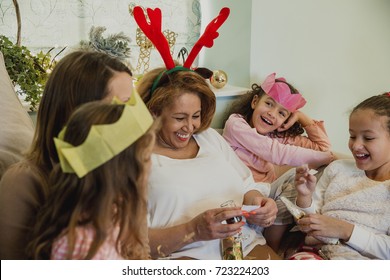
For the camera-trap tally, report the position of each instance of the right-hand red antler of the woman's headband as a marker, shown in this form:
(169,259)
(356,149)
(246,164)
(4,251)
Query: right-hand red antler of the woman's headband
(207,39)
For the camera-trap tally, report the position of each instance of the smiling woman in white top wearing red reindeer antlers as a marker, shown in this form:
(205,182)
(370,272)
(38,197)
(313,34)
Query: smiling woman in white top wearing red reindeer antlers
(193,168)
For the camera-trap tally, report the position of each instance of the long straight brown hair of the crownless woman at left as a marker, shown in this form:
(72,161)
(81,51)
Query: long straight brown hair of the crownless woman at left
(79,77)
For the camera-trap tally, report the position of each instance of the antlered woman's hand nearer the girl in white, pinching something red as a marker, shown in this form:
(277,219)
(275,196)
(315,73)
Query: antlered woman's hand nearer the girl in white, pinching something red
(265,215)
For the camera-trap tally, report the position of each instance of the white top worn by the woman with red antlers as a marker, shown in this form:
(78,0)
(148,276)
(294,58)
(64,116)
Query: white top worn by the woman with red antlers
(181,189)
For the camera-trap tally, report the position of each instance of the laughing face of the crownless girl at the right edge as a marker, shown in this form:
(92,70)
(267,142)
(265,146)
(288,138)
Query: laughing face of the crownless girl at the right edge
(369,142)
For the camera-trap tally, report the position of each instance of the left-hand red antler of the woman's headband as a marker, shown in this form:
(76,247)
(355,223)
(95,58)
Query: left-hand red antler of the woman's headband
(153,32)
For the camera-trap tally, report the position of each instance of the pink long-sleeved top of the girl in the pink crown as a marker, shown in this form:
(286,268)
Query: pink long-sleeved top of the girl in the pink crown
(261,153)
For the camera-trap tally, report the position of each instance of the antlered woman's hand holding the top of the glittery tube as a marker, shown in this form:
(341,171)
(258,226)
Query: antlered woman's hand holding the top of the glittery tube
(208,225)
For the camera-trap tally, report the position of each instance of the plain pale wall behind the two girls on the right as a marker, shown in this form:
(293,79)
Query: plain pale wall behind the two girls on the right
(336,52)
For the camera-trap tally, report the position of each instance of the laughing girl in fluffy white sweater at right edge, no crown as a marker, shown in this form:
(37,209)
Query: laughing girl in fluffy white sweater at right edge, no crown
(352,197)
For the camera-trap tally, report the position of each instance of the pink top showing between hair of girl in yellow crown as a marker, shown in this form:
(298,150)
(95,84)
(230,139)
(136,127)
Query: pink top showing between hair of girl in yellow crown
(85,236)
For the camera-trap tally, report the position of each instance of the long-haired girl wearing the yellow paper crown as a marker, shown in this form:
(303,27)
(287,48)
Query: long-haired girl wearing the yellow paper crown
(96,207)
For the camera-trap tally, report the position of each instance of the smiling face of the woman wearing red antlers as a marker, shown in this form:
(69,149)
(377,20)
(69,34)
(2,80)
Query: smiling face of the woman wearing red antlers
(181,120)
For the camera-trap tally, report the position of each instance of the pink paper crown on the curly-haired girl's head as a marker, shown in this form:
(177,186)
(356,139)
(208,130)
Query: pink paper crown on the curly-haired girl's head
(281,93)
